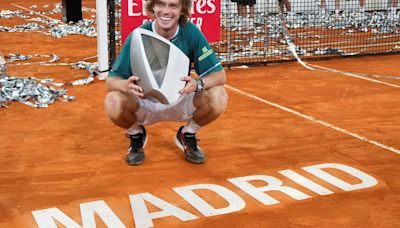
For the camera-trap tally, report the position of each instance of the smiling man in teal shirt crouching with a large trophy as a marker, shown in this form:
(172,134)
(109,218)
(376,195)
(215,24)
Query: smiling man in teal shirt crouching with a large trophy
(202,100)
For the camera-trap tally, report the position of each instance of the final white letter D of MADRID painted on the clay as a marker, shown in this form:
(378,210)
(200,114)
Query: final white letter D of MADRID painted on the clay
(366,180)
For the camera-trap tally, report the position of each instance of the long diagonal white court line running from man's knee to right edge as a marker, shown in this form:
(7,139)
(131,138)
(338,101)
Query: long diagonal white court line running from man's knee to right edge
(362,138)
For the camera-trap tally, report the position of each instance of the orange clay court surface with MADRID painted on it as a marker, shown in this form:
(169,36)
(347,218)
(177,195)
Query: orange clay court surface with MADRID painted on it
(315,149)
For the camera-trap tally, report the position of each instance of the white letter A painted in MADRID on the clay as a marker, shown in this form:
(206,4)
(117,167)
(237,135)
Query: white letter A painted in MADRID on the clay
(143,218)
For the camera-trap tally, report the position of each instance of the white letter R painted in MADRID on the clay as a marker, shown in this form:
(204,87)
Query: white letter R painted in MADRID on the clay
(273,184)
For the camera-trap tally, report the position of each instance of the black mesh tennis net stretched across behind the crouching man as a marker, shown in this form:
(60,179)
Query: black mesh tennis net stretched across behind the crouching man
(319,29)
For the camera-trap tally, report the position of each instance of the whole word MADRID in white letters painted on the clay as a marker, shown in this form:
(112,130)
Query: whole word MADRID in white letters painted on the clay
(52,217)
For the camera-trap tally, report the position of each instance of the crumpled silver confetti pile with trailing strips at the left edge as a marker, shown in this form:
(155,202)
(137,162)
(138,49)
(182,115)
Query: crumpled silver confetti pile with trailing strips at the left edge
(37,92)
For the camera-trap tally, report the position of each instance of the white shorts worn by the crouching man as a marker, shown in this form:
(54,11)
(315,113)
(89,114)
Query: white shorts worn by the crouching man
(152,111)
